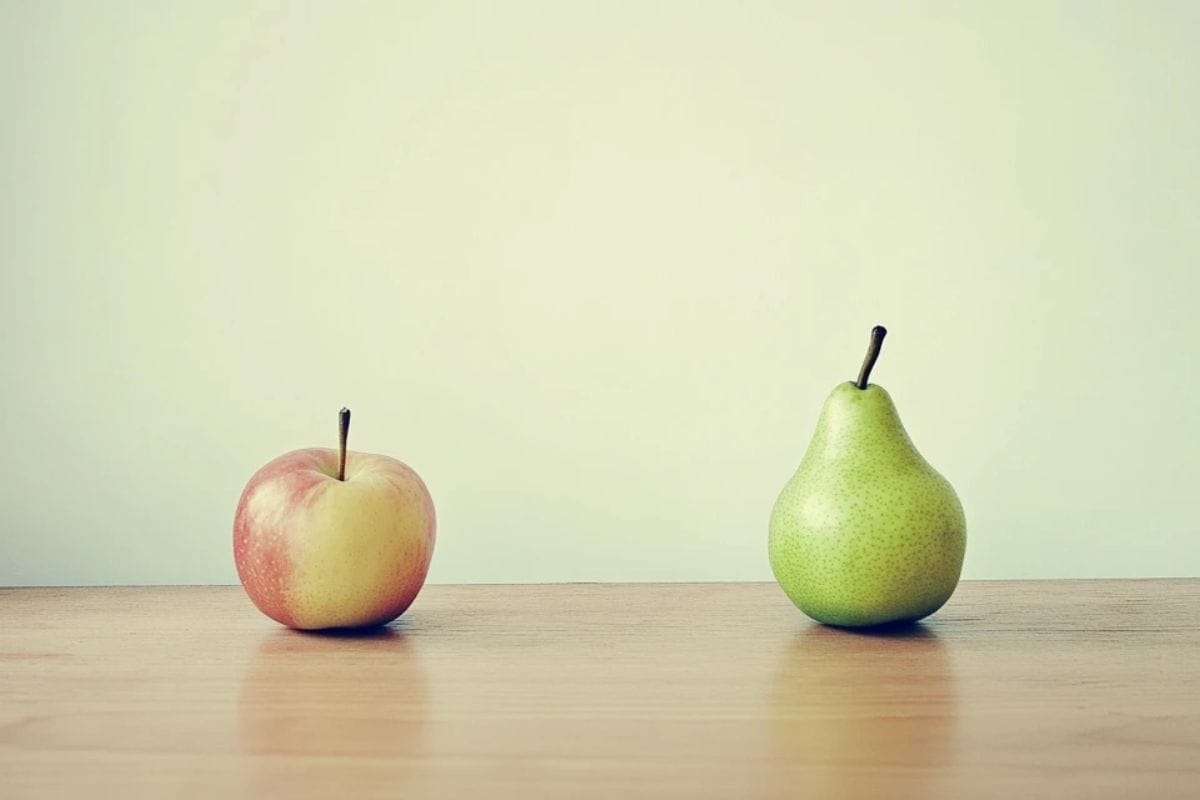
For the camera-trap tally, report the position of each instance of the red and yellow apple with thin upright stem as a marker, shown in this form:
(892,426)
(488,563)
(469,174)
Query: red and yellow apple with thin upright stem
(334,539)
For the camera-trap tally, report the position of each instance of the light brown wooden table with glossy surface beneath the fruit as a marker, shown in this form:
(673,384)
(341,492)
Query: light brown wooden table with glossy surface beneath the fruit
(1031,689)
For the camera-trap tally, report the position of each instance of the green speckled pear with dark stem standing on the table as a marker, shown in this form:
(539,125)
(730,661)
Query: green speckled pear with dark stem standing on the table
(867,532)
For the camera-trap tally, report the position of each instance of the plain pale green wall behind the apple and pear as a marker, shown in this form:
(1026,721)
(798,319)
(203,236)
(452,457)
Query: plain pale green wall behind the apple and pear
(592,269)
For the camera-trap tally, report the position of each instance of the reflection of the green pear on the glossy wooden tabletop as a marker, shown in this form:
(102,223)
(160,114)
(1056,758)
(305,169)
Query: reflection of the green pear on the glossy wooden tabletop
(861,715)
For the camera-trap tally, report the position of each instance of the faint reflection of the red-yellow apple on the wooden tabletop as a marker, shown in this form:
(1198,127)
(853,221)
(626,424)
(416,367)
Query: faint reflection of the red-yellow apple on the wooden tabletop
(327,699)
